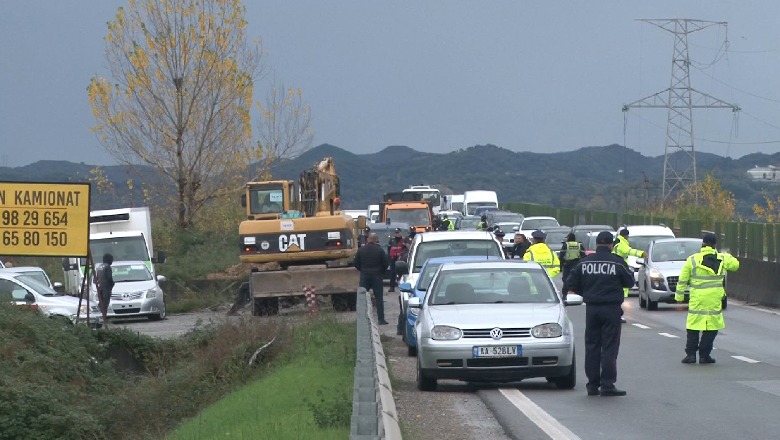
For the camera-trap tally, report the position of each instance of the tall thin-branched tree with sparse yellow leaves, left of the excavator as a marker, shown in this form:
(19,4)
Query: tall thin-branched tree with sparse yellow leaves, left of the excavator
(180,96)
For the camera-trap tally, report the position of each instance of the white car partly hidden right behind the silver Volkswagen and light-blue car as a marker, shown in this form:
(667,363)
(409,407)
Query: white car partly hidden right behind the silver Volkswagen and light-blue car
(443,244)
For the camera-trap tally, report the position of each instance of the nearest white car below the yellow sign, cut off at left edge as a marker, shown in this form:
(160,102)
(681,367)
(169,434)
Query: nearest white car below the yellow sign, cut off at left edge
(24,290)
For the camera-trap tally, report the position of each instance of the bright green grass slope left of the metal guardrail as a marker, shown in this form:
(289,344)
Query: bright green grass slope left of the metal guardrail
(307,395)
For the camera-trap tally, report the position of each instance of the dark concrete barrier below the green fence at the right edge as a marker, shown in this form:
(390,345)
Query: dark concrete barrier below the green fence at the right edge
(756,282)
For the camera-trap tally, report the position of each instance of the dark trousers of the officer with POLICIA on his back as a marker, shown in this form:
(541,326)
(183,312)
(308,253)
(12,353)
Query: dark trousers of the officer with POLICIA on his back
(602,341)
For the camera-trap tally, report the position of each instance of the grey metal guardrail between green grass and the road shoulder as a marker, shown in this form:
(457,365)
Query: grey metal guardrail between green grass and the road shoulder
(373,406)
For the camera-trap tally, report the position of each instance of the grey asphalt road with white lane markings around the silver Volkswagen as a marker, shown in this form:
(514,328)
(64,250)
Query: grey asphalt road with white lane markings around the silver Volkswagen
(738,397)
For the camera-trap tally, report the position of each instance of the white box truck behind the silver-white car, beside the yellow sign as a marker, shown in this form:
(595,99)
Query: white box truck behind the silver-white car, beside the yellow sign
(125,233)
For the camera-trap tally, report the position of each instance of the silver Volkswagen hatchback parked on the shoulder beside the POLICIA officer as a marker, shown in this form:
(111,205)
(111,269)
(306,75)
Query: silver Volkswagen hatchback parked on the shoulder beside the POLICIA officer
(494,321)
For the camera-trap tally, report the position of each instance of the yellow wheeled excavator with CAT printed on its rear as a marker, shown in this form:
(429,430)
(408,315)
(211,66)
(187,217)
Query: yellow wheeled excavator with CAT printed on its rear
(300,227)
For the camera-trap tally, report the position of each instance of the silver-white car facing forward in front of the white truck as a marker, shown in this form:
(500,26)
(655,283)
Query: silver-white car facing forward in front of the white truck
(135,292)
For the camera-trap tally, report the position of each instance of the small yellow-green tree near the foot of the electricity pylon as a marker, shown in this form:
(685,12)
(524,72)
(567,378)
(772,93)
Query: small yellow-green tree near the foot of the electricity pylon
(705,200)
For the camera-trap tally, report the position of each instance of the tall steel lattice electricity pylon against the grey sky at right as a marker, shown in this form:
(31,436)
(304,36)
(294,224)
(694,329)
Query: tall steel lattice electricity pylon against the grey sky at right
(680,99)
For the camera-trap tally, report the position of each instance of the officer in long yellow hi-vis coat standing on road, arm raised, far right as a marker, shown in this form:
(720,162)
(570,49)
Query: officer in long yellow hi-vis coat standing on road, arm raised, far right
(704,274)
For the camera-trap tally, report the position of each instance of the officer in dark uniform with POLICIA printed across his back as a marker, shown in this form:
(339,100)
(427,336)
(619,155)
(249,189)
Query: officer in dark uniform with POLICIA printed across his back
(600,279)
